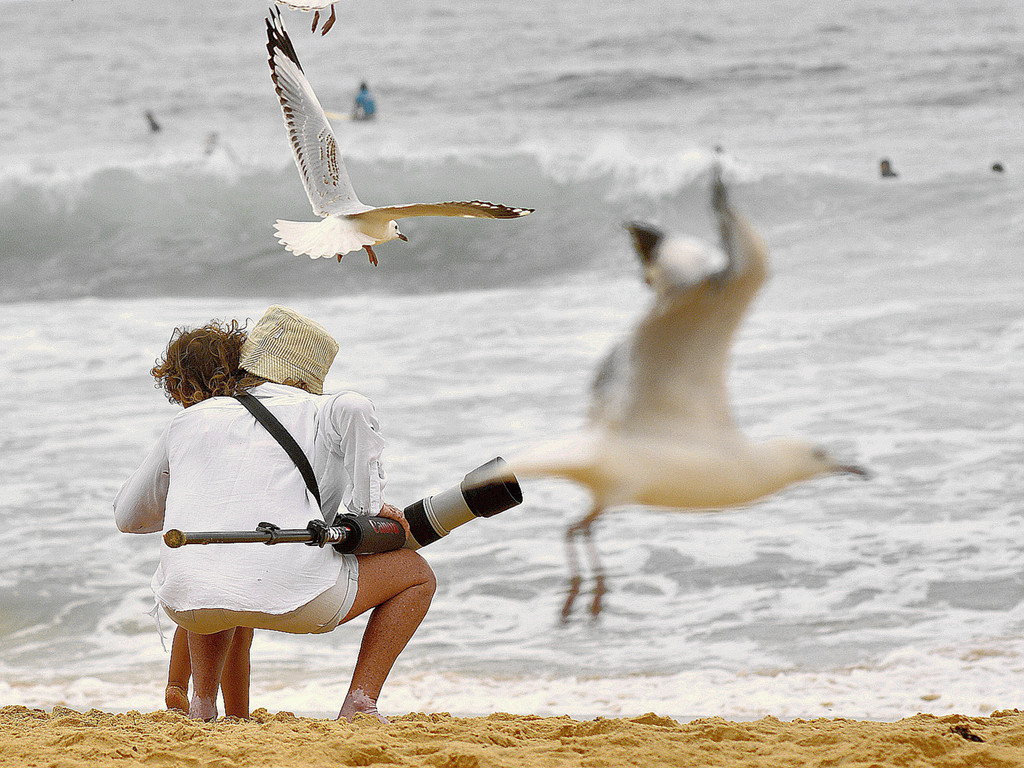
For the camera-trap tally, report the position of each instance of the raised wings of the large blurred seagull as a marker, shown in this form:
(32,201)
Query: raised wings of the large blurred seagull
(669,378)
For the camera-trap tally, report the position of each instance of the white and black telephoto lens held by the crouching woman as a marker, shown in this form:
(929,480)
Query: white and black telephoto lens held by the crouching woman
(487,491)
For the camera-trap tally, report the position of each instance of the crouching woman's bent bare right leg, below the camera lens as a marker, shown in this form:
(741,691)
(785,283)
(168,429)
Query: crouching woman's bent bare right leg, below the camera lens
(399,586)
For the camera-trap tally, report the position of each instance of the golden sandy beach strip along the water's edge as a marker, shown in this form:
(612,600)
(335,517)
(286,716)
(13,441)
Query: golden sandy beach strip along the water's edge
(95,739)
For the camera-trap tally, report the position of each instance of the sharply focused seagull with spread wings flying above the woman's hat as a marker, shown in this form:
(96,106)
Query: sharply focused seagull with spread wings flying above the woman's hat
(348,225)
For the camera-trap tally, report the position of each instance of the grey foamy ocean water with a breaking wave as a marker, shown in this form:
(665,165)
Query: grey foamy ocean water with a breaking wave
(892,330)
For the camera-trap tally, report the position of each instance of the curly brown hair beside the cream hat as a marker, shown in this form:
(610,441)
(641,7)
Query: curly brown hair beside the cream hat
(202,363)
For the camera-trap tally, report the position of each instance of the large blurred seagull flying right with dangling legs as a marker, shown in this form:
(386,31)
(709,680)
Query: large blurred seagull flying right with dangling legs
(660,430)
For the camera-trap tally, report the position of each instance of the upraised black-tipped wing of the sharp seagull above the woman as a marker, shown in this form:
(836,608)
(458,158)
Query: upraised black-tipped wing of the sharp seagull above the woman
(311,135)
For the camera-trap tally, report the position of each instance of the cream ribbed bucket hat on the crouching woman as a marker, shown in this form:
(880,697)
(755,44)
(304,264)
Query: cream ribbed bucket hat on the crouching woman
(287,346)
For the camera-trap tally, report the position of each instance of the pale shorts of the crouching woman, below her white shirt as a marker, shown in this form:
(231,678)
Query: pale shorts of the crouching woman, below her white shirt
(322,614)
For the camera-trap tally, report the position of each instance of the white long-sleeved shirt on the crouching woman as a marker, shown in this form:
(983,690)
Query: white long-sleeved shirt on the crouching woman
(217,468)
